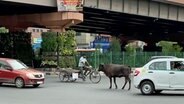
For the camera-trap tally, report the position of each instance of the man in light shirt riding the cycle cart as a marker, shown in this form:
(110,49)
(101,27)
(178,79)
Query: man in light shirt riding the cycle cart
(82,64)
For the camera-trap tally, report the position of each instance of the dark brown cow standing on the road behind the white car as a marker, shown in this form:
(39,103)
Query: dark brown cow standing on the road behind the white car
(116,70)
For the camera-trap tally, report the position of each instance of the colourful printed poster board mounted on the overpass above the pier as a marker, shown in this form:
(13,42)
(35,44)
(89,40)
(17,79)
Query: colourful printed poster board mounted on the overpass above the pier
(70,5)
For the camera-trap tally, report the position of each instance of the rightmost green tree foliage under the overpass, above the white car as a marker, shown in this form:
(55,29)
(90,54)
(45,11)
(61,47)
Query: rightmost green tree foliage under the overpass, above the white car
(169,47)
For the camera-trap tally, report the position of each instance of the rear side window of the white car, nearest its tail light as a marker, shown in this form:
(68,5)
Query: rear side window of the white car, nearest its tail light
(158,66)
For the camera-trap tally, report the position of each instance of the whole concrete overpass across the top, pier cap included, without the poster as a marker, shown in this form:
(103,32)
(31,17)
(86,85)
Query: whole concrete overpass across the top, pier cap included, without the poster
(146,20)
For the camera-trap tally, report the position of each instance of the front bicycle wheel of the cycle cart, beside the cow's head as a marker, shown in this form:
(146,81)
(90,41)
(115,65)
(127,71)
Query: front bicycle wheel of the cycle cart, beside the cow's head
(95,77)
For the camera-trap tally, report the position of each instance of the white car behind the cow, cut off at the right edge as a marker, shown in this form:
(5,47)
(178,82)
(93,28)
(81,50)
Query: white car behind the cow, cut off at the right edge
(160,74)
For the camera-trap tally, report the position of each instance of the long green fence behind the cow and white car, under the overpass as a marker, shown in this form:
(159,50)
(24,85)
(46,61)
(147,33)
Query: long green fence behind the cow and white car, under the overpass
(133,59)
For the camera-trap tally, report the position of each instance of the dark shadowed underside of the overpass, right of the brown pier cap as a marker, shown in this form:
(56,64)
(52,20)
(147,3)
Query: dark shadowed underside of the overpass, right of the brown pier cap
(134,26)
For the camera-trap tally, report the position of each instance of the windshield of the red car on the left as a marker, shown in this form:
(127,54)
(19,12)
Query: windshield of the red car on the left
(16,64)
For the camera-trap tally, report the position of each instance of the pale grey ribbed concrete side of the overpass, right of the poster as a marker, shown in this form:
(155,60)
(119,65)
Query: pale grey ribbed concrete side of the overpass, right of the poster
(140,7)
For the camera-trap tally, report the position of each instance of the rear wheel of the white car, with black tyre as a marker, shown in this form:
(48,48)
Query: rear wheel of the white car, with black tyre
(147,88)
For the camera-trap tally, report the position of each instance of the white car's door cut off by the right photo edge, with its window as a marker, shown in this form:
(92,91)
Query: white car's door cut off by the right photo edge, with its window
(177,76)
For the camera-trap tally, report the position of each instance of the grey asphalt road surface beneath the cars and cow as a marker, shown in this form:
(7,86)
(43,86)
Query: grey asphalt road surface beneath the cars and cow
(55,92)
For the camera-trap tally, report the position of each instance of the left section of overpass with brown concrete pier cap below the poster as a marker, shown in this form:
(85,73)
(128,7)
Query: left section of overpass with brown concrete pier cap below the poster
(20,14)
